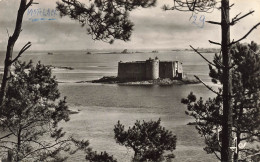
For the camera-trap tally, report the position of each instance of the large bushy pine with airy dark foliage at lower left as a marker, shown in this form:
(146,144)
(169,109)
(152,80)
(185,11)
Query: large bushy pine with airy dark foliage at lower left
(31,114)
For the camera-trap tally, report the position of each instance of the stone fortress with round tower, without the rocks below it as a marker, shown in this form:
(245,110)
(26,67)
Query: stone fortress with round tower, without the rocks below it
(149,70)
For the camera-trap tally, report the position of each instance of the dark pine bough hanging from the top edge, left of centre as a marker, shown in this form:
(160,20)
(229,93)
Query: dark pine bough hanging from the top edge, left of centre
(106,20)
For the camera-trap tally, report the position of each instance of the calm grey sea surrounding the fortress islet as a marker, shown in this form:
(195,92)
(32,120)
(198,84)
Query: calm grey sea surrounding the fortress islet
(101,106)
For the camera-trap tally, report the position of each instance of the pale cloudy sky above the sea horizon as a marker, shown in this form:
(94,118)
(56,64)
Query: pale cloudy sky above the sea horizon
(153,29)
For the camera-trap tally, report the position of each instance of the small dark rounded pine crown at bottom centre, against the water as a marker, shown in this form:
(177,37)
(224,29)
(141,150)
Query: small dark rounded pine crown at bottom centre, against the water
(149,140)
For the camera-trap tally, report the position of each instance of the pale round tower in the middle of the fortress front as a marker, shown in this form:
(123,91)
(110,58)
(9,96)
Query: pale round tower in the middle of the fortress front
(152,69)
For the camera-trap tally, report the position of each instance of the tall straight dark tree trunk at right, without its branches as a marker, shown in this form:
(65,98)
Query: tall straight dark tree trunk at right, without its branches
(226,152)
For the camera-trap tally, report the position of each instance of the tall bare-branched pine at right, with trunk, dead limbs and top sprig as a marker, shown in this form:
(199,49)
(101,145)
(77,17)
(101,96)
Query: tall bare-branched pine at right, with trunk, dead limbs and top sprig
(226,64)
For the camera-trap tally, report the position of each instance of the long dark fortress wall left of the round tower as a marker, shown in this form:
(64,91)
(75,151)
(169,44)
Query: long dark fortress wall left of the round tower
(131,71)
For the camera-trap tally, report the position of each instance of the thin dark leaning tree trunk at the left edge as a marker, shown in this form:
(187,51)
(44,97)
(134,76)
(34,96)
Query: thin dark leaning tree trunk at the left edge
(9,51)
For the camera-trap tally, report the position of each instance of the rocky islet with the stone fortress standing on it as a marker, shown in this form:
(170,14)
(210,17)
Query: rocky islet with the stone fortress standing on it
(149,72)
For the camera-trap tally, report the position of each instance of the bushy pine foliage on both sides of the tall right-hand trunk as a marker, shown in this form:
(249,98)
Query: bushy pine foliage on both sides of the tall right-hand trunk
(246,113)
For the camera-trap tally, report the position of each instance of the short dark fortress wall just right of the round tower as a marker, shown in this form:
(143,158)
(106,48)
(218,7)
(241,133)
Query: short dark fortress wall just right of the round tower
(166,69)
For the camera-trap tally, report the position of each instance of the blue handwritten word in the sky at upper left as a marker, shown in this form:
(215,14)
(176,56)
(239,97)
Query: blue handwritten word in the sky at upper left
(41,14)
